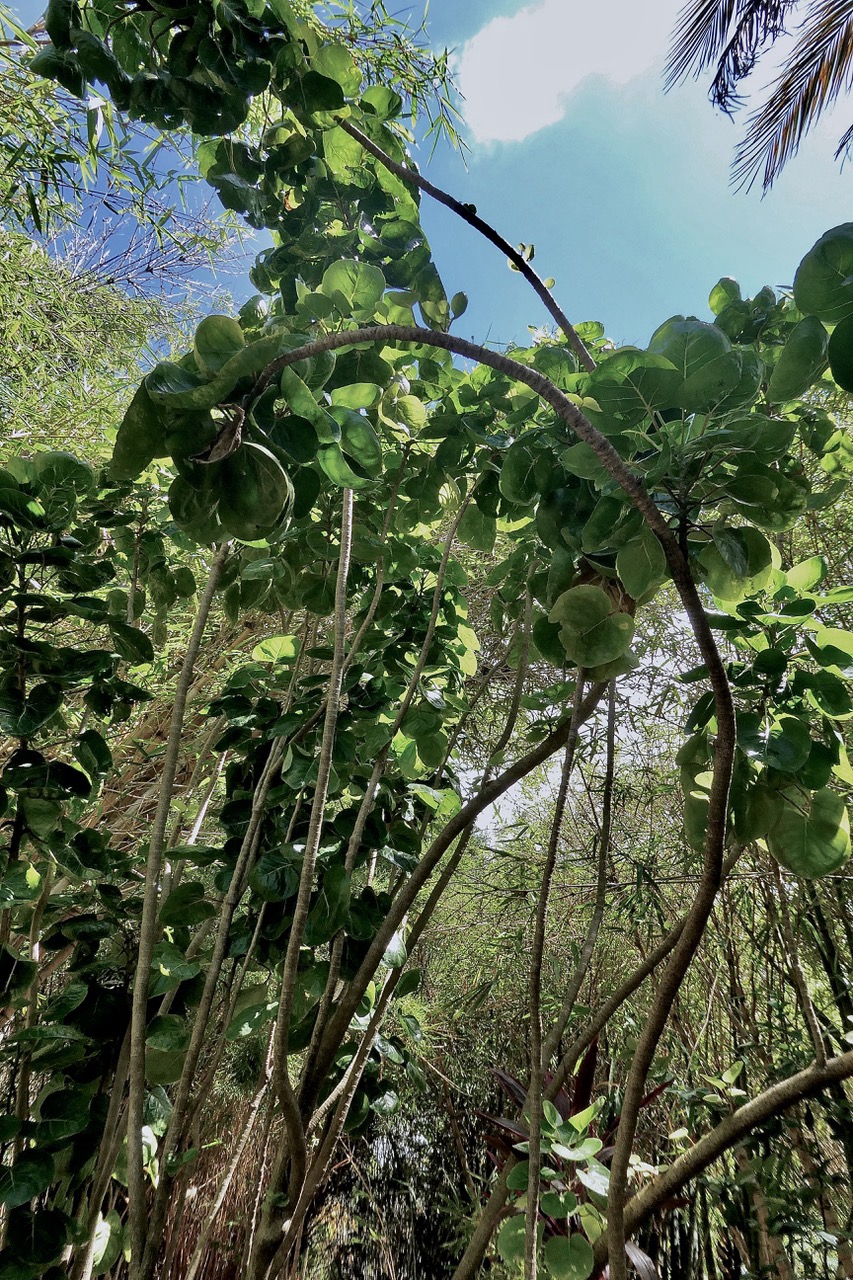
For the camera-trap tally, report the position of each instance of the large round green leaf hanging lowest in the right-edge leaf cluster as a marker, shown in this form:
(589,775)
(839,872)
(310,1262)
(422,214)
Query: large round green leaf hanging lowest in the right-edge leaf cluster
(813,834)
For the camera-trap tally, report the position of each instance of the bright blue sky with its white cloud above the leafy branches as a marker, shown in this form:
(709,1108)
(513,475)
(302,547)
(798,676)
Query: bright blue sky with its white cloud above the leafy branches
(623,190)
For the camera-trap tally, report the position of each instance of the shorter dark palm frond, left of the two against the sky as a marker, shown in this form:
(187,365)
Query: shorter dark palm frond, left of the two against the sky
(731,33)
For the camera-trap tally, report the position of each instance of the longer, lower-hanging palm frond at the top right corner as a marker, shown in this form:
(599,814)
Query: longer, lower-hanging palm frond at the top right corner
(819,70)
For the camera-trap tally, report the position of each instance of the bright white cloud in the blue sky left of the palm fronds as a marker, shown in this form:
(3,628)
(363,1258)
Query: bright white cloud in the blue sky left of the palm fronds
(517,74)
